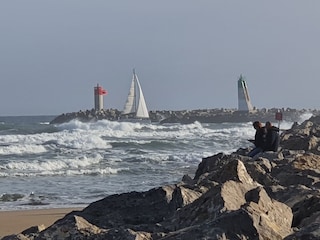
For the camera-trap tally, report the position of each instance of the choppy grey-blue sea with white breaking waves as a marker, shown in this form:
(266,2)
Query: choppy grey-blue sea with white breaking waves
(74,164)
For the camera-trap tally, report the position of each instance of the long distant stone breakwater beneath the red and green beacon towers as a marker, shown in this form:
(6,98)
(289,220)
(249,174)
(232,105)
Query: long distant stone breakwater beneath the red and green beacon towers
(189,116)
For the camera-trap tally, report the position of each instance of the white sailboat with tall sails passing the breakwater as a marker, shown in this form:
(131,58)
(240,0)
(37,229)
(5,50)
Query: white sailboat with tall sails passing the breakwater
(135,108)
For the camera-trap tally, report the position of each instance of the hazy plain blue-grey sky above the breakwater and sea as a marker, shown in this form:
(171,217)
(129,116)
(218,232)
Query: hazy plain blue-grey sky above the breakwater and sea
(187,54)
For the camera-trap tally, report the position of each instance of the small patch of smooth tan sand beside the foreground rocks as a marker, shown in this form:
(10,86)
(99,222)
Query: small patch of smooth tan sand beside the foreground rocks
(13,222)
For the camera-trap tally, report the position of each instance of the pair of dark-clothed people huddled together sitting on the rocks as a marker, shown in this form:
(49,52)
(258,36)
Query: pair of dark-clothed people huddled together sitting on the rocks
(266,138)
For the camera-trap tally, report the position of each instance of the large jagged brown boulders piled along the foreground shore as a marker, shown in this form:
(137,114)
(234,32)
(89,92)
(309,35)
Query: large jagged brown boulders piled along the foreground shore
(271,196)
